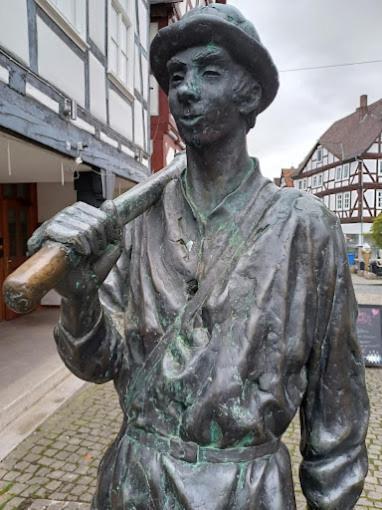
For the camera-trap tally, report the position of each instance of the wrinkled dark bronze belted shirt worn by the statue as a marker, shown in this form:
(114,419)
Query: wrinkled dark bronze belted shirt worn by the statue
(275,334)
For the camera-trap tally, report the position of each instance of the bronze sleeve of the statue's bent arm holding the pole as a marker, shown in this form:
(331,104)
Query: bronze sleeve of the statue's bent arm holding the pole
(97,356)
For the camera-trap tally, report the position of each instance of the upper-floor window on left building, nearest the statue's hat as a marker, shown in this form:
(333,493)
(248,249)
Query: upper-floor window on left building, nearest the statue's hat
(120,45)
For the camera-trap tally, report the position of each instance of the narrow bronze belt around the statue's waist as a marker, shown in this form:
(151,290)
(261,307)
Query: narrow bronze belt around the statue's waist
(193,453)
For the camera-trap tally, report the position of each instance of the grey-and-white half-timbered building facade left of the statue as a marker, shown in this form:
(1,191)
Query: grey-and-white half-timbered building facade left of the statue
(74,110)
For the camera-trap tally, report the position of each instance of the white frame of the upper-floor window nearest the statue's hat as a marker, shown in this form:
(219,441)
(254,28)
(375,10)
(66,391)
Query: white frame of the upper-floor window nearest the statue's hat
(124,17)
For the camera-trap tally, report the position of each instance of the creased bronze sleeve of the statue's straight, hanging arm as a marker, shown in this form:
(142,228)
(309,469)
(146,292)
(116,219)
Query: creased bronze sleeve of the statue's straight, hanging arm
(335,410)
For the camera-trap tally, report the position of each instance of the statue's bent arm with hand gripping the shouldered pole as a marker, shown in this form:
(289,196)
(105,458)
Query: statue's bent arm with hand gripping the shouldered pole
(86,337)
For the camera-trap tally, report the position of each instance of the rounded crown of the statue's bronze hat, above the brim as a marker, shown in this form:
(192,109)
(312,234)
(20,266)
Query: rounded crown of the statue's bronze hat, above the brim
(227,13)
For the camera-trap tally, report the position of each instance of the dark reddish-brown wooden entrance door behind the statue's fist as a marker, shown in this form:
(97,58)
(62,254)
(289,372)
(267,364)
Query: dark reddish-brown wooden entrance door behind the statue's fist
(18,215)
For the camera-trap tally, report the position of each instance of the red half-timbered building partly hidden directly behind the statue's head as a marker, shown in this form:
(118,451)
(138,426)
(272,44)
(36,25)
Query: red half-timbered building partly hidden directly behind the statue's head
(165,138)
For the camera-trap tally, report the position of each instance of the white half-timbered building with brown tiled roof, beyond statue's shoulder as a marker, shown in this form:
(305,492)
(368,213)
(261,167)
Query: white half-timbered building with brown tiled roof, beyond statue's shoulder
(344,169)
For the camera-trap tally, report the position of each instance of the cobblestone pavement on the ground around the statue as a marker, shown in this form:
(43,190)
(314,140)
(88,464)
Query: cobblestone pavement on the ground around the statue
(55,468)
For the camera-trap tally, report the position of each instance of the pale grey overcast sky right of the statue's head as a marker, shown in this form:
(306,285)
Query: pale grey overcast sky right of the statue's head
(305,33)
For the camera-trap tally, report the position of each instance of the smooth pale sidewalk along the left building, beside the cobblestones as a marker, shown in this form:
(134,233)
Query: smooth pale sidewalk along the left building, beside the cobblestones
(33,380)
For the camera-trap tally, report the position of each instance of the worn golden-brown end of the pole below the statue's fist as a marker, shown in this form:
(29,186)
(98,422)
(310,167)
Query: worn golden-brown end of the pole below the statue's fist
(25,287)
